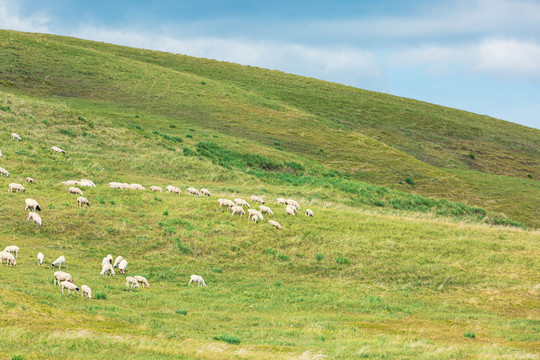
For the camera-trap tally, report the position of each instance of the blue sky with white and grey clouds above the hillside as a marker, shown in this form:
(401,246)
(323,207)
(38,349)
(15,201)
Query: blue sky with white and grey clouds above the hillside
(477,55)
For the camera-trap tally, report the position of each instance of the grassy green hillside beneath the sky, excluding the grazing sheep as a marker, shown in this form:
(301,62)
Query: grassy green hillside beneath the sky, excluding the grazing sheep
(424,243)
